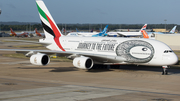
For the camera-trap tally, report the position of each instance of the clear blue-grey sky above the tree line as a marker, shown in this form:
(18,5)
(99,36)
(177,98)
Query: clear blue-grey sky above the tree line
(95,11)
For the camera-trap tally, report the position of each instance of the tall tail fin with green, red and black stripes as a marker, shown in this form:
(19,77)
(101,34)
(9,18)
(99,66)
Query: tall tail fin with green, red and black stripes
(49,26)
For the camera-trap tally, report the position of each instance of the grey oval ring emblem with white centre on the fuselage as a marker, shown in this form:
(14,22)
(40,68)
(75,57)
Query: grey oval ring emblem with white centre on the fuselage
(135,51)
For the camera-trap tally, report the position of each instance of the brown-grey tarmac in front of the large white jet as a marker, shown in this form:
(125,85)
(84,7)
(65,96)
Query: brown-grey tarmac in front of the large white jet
(60,81)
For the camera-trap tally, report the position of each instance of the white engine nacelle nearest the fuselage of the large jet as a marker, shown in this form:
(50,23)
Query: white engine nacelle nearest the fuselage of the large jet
(83,62)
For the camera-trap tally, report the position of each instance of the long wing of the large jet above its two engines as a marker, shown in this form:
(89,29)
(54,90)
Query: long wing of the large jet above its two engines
(98,58)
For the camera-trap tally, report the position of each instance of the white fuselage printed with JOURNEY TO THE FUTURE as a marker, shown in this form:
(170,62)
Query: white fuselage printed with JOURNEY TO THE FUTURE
(119,50)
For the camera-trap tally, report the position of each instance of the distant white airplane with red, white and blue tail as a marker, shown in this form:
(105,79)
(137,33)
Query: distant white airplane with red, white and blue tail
(127,34)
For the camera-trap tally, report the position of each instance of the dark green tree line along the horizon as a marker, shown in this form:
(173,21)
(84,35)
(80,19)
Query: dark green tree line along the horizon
(88,26)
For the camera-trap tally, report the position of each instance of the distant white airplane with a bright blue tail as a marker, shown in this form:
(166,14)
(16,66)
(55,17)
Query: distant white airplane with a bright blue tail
(90,34)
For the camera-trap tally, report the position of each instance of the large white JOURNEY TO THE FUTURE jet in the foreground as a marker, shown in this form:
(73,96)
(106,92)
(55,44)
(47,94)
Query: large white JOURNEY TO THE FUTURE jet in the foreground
(87,51)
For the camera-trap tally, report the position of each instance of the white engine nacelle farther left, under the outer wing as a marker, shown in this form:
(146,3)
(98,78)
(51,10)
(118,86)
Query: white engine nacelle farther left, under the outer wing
(40,59)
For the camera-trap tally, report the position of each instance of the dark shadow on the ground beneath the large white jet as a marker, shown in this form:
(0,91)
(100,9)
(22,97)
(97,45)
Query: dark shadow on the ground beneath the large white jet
(101,68)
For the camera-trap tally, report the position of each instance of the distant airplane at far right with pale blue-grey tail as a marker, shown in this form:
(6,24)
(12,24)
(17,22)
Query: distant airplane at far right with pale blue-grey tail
(152,34)
